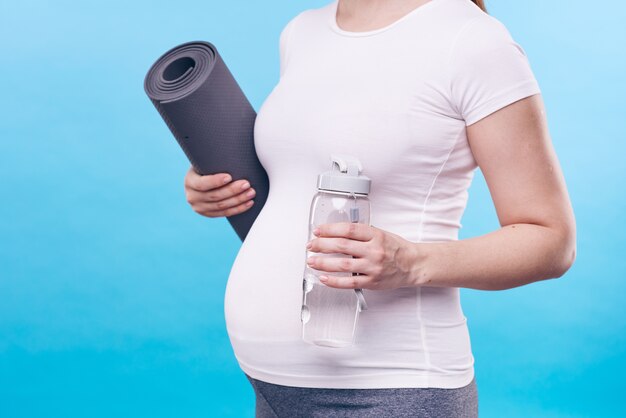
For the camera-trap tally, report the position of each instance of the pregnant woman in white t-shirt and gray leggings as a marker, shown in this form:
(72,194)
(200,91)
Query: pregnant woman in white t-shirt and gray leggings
(422,93)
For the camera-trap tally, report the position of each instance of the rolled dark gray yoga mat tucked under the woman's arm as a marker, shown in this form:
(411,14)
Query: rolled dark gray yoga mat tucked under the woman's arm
(210,117)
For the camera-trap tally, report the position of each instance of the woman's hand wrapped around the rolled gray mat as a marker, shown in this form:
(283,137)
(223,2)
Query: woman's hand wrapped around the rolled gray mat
(211,196)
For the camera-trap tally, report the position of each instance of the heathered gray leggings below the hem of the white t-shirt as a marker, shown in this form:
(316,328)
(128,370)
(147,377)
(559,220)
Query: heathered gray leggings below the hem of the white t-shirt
(277,401)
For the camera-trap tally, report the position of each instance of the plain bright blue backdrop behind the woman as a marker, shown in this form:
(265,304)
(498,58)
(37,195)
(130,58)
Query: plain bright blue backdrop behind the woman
(111,287)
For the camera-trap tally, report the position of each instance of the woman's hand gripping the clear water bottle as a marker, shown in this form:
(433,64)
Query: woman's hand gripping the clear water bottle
(383,260)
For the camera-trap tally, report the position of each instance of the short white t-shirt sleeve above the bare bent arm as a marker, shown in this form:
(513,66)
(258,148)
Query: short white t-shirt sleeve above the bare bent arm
(489,70)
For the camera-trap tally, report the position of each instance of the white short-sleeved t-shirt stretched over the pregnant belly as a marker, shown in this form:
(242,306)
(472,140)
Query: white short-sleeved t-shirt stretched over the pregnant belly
(399,99)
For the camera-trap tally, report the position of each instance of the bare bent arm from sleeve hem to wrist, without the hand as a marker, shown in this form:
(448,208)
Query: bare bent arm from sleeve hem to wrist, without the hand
(537,240)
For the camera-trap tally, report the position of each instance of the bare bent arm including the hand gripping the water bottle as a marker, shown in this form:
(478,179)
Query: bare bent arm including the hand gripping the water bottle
(537,240)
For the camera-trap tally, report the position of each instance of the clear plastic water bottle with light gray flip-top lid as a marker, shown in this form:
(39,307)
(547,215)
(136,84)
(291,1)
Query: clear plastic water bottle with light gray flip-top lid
(329,315)
